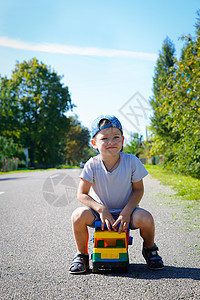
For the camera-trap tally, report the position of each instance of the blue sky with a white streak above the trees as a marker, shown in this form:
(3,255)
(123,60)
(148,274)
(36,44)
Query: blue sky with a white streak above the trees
(106,50)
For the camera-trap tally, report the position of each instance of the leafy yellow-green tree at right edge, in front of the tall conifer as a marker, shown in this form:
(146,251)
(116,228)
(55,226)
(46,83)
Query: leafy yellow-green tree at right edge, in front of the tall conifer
(183,109)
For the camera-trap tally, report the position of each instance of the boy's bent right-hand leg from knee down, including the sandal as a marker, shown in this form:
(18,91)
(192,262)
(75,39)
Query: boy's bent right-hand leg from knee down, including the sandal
(144,221)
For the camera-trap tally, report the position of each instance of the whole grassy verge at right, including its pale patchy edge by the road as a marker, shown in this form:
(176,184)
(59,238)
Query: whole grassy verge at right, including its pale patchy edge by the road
(187,196)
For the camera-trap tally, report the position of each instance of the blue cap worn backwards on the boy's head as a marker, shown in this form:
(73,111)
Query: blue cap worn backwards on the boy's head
(114,122)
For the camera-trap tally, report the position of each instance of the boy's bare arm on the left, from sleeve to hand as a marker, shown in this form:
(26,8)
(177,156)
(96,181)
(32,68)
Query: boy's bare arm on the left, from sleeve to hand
(83,197)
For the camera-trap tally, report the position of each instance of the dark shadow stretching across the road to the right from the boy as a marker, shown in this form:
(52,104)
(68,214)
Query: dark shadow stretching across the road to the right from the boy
(140,271)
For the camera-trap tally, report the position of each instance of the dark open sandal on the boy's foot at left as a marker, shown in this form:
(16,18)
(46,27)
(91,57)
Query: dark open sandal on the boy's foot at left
(80,264)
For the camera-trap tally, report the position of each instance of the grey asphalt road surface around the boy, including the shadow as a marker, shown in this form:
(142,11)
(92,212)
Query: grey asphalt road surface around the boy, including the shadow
(37,245)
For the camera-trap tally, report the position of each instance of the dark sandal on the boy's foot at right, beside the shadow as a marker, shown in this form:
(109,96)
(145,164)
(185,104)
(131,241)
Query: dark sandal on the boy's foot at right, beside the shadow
(154,261)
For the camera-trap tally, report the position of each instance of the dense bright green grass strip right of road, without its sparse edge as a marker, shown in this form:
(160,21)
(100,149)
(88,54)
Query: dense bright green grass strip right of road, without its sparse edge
(186,187)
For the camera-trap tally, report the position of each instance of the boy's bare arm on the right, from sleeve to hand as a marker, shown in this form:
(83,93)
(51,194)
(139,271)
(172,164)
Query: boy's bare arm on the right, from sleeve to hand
(134,200)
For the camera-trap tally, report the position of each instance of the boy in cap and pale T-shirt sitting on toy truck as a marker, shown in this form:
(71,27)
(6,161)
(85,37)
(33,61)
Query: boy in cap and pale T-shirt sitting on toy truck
(111,187)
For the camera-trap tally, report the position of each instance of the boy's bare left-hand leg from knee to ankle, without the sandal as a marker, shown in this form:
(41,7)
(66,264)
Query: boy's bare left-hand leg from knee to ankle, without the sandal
(81,218)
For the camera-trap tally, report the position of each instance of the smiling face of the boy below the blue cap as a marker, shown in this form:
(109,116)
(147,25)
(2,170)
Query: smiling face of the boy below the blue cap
(108,141)
